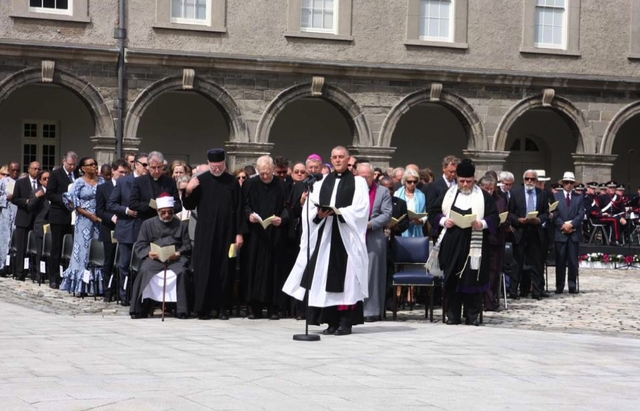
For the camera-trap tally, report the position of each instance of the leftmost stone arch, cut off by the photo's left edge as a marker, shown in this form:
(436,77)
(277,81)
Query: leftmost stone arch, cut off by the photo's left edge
(88,94)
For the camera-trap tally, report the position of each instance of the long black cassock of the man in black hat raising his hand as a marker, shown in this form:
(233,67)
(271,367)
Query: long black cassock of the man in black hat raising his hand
(220,219)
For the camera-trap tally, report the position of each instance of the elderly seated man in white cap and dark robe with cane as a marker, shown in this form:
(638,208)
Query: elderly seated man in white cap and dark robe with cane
(166,230)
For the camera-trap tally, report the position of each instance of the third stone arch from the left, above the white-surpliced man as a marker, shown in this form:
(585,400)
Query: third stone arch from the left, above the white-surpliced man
(334,95)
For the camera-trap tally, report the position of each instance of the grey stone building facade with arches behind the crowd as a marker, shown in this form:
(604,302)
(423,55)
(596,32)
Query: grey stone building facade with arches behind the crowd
(373,83)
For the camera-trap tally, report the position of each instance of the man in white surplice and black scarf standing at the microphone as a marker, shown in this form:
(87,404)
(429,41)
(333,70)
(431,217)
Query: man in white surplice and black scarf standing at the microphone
(339,262)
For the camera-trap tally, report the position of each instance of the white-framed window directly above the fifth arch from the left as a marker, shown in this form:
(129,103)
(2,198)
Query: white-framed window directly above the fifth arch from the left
(551,24)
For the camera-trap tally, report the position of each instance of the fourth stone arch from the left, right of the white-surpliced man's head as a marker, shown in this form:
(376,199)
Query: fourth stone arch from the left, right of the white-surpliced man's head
(474,128)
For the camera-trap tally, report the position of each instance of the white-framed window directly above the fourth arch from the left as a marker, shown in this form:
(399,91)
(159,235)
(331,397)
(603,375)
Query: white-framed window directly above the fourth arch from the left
(436,20)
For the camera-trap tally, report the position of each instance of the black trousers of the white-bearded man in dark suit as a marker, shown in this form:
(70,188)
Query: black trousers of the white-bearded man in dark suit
(528,256)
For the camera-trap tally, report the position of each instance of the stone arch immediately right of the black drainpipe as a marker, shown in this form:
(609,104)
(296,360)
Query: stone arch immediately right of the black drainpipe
(238,131)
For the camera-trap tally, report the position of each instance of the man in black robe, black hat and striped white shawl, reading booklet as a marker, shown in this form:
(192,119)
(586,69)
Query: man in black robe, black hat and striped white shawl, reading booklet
(464,252)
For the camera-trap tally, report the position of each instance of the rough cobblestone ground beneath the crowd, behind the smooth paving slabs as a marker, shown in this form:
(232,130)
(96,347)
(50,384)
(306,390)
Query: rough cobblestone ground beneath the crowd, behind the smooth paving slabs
(607,304)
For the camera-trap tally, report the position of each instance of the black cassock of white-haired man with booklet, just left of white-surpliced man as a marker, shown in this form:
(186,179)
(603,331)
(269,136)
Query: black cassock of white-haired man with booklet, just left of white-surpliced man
(264,254)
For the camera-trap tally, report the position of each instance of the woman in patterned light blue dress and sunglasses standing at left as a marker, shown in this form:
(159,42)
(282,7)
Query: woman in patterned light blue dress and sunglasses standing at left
(81,198)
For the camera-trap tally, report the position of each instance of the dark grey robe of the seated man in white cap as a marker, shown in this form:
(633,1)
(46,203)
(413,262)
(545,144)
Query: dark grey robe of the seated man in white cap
(163,234)
